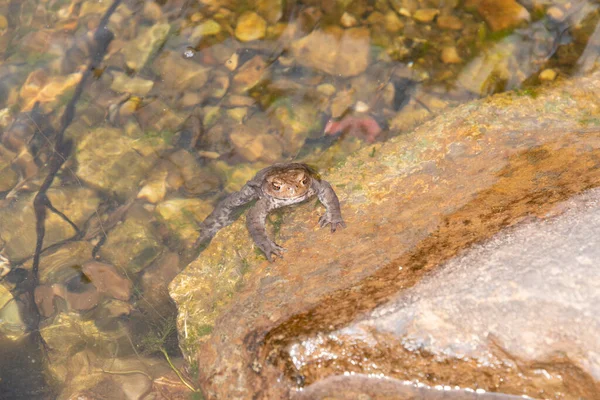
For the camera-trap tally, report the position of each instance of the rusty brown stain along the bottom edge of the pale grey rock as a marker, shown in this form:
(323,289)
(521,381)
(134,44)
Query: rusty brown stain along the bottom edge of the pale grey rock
(394,361)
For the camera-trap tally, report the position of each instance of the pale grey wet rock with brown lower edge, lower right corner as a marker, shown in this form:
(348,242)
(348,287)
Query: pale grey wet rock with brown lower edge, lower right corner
(523,302)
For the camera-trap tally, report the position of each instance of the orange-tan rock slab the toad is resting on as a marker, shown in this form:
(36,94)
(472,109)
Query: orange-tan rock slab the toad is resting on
(244,318)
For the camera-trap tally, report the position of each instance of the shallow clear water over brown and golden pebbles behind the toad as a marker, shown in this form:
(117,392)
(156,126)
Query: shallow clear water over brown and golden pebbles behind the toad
(190,100)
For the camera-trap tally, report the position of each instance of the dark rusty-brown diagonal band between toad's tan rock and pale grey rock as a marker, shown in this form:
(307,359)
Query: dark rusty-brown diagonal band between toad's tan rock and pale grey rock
(530,185)
